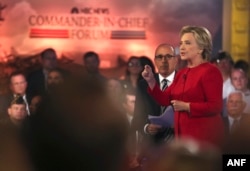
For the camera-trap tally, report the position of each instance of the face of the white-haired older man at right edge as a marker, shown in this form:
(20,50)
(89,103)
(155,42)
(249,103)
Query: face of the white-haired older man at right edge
(235,105)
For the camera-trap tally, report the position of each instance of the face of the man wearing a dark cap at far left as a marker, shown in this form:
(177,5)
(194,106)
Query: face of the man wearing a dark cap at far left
(17,111)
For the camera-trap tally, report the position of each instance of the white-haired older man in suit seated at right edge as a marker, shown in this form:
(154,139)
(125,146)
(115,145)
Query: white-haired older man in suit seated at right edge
(235,107)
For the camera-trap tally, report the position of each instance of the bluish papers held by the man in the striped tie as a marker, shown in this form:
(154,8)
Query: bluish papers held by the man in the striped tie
(165,120)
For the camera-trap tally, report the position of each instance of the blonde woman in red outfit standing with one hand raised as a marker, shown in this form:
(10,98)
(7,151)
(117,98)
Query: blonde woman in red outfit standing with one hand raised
(196,93)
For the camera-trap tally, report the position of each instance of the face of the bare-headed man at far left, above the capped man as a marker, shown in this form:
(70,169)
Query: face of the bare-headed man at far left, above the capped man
(18,84)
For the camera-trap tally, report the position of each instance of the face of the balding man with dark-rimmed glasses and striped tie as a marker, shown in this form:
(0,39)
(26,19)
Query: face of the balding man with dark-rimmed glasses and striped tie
(165,65)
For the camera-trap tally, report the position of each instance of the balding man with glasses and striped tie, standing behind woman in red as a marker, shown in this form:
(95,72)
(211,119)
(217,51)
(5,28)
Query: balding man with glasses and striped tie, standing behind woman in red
(165,62)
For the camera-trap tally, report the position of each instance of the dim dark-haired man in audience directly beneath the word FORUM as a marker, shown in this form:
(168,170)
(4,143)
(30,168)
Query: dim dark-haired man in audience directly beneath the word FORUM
(91,62)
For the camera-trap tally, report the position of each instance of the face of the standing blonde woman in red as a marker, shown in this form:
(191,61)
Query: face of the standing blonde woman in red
(189,49)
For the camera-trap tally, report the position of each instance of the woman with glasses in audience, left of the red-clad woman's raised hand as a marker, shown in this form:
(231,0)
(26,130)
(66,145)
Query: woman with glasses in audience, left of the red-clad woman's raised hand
(133,73)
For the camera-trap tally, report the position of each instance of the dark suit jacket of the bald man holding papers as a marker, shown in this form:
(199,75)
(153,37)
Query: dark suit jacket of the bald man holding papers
(145,105)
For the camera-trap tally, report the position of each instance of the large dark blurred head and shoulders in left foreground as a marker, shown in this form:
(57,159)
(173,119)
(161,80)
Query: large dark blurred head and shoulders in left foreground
(77,128)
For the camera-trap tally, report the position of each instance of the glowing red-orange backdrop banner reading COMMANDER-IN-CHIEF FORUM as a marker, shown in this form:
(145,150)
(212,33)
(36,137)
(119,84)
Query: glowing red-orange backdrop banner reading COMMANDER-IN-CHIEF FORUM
(112,28)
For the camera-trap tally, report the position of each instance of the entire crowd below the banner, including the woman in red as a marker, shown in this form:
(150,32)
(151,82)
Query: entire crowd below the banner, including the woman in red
(59,120)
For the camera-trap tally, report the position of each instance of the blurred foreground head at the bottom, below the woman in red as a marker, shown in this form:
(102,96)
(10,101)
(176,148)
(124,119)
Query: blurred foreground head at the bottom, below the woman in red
(185,155)
